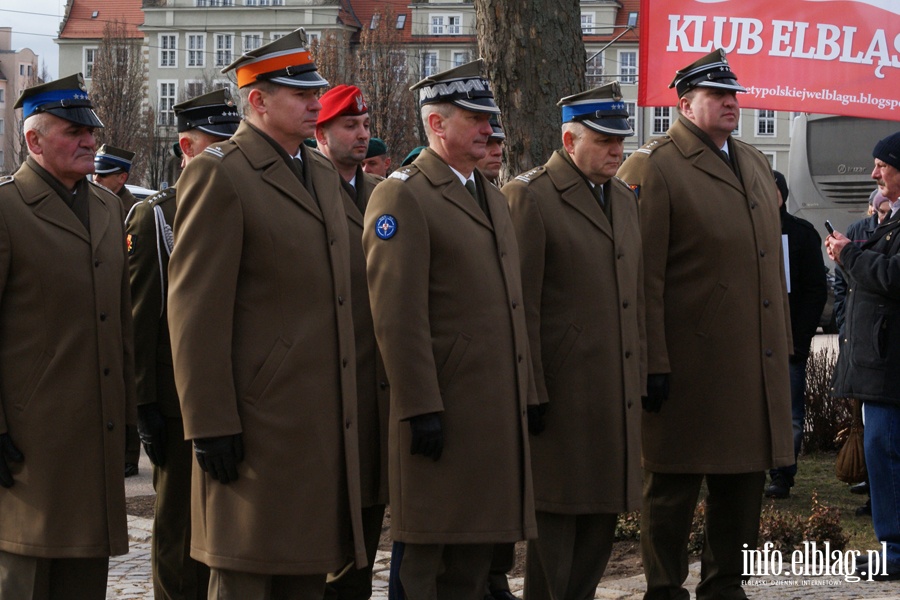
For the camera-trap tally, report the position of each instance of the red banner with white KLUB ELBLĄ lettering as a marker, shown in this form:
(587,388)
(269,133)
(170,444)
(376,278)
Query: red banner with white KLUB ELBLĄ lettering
(839,57)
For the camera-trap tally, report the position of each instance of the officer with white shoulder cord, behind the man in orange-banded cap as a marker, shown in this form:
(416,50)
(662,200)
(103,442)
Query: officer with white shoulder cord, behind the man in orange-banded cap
(201,121)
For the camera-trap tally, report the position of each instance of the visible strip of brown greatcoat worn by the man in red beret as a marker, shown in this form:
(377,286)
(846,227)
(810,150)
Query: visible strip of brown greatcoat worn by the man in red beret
(373,393)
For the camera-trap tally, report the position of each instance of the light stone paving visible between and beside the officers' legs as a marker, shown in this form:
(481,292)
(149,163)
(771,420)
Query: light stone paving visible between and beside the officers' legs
(129,579)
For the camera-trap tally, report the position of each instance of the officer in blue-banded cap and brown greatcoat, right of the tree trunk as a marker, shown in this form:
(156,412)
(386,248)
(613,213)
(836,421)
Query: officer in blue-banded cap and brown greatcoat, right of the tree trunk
(580,245)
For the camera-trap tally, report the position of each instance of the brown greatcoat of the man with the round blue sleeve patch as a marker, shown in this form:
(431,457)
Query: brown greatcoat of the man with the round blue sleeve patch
(447,305)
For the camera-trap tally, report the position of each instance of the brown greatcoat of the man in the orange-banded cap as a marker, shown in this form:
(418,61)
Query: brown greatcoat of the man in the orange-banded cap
(262,341)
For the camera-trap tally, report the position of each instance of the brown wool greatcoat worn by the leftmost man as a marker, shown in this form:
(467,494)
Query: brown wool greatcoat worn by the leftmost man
(66,371)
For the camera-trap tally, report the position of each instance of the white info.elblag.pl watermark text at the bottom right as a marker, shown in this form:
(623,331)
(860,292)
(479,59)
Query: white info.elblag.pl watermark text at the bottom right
(812,560)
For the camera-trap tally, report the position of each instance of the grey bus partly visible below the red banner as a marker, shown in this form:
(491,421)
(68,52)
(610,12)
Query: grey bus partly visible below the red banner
(830,168)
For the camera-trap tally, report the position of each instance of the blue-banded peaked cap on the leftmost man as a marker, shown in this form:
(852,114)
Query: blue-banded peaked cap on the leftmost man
(66,98)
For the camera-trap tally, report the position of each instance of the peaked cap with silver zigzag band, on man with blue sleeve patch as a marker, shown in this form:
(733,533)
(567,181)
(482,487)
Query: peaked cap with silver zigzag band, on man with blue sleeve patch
(463,86)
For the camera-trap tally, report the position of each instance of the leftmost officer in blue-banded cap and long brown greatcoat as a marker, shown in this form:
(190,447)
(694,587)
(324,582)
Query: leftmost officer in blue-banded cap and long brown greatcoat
(66,364)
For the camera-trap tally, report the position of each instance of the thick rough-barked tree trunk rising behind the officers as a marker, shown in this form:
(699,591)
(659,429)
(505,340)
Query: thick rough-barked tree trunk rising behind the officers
(534,56)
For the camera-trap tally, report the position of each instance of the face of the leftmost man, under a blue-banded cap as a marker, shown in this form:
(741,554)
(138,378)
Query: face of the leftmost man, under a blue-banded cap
(65,149)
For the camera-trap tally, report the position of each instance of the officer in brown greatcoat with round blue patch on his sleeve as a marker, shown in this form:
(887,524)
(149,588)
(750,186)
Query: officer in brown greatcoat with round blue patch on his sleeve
(444,283)
